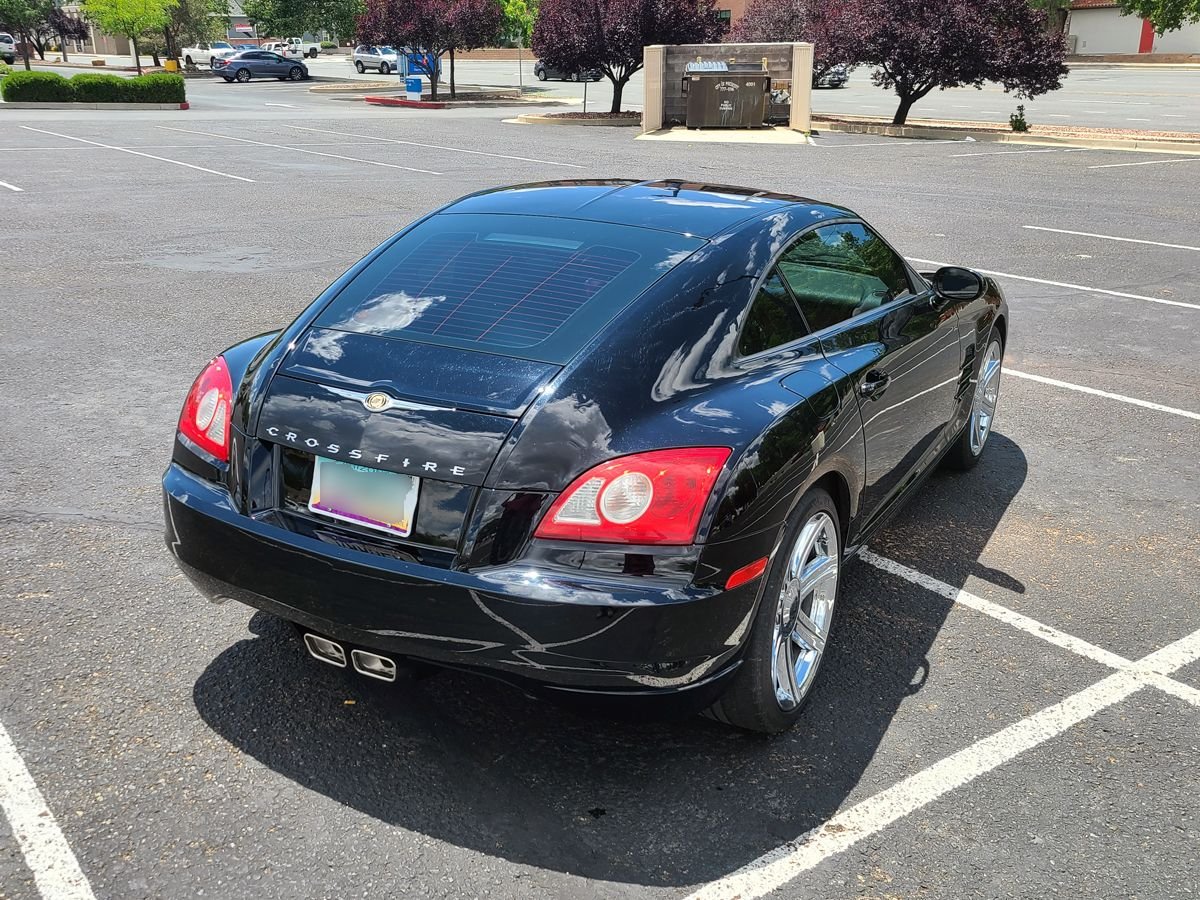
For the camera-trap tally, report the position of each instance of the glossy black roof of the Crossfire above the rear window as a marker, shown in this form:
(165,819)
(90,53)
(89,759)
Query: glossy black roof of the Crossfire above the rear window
(681,207)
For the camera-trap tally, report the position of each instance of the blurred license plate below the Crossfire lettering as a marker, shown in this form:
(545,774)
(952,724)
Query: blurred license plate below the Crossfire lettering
(385,501)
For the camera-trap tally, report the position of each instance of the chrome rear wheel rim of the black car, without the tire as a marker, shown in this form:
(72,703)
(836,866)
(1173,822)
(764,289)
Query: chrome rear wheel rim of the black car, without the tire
(805,611)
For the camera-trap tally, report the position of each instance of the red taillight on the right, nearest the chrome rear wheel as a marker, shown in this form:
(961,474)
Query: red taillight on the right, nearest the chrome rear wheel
(647,499)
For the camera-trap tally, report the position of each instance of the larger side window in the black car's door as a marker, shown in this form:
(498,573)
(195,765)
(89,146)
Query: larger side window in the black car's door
(842,271)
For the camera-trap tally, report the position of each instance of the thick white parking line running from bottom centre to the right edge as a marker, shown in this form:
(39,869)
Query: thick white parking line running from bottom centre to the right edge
(777,868)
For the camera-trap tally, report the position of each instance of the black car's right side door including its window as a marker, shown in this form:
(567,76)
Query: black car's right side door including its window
(884,328)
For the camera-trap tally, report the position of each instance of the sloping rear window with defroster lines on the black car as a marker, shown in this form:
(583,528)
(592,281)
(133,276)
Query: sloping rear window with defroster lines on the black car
(525,286)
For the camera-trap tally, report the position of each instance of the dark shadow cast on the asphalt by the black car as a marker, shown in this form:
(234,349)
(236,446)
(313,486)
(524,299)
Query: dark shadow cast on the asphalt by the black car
(478,765)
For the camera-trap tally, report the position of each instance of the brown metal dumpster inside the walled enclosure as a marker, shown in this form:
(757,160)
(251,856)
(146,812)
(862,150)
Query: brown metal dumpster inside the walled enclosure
(724,95)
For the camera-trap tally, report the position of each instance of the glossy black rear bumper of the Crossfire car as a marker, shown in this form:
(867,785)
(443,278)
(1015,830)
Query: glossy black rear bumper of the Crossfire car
(559,631)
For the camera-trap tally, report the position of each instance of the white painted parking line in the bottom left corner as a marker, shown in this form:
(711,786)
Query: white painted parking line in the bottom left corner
(49,856)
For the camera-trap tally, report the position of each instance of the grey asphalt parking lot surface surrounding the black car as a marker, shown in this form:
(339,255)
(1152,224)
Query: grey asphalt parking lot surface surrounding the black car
(1011,707)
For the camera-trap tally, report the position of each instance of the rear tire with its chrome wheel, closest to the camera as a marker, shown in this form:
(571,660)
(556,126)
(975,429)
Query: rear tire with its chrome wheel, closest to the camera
(793,626)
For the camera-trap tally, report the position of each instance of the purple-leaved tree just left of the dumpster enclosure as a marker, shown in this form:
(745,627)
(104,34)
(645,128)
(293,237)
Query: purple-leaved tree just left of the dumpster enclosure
(610,35)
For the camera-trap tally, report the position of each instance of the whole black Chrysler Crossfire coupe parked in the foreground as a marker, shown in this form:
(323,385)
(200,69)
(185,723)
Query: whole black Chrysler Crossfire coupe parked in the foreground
(596,437)
